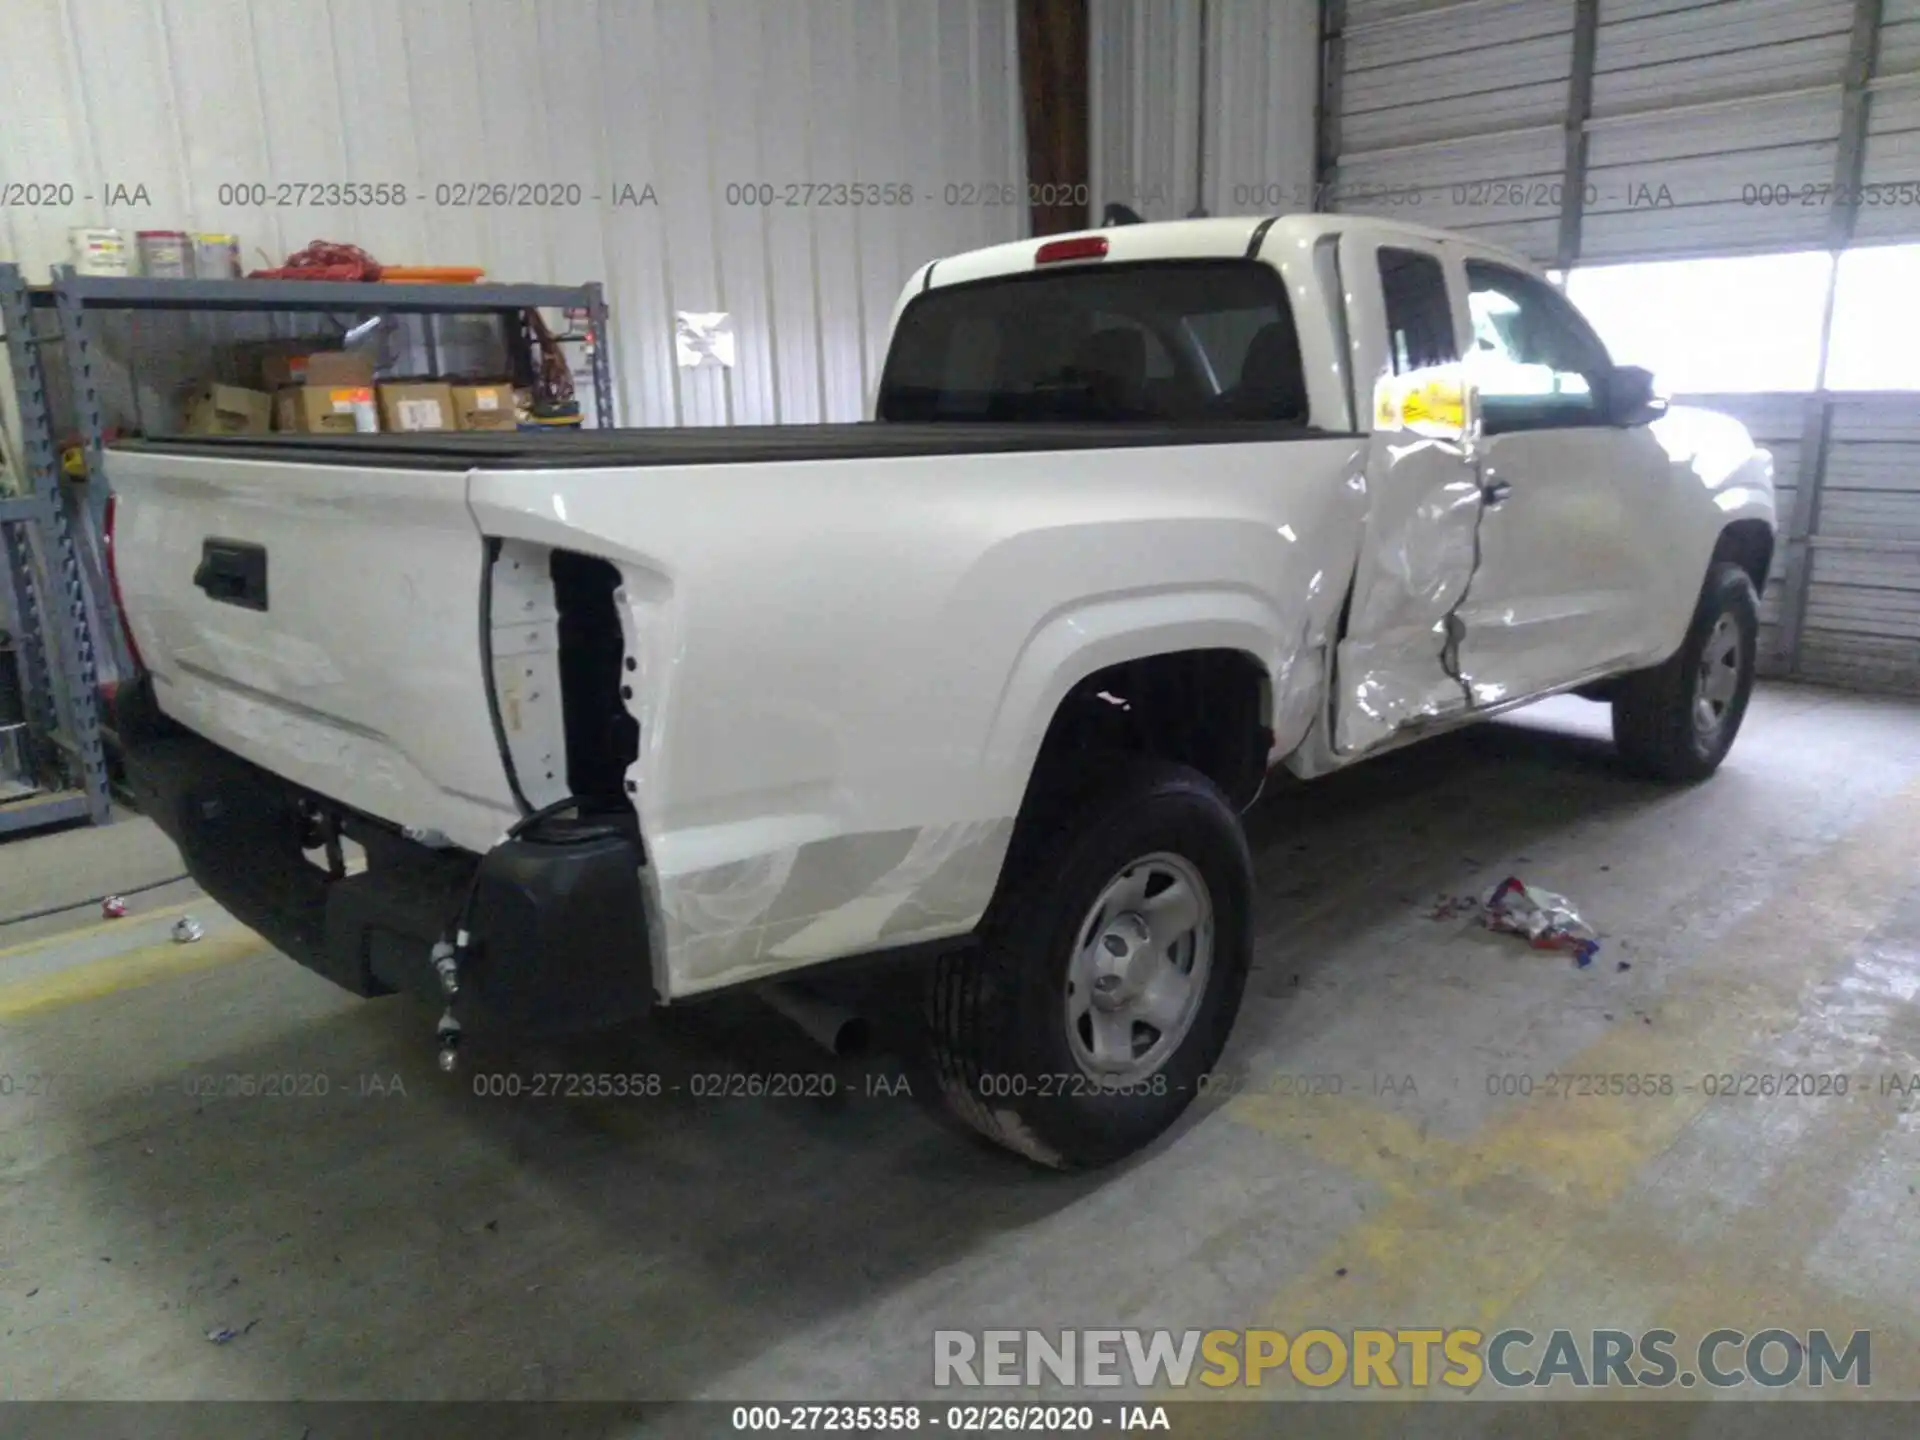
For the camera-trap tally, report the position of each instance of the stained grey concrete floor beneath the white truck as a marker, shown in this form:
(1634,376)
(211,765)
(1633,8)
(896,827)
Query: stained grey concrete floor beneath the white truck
(444,1245)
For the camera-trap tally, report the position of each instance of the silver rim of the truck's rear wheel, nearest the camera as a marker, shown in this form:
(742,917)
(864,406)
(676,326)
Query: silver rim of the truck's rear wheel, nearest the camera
(1140,969)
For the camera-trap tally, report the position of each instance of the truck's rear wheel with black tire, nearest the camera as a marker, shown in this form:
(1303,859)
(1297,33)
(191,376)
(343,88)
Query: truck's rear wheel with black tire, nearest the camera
(1109,971)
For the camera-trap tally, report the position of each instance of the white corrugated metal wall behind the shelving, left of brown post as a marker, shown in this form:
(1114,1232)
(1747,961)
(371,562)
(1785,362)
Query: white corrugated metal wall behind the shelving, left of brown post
(690,97)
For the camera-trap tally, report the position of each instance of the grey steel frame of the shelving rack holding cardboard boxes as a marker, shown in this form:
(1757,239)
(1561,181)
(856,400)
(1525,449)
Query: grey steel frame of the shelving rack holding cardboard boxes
(55,569)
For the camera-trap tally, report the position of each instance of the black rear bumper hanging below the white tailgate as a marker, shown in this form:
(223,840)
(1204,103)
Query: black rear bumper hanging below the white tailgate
(560,934)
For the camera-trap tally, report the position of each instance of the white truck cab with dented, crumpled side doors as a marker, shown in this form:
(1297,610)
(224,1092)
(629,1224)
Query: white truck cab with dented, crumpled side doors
(1558,542)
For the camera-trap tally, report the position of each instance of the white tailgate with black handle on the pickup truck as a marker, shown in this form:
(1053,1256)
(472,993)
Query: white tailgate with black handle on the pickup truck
(322,621)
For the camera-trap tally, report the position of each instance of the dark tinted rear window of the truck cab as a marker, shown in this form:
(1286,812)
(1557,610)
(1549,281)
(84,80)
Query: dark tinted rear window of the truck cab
(1184,341)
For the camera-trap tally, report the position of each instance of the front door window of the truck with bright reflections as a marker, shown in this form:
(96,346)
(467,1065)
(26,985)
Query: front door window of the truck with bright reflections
(1537,364)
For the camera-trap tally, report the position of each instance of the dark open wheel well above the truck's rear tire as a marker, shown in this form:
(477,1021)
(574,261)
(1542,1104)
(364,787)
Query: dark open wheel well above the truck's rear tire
(1207,709)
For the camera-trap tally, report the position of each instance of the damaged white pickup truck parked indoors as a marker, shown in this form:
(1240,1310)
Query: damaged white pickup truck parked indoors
(621,719)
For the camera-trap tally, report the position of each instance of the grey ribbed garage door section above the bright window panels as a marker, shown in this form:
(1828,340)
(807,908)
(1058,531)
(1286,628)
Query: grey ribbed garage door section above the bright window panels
(1712,128)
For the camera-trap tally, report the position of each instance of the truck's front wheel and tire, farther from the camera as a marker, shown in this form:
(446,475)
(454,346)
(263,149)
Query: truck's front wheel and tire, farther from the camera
(1677,721)
